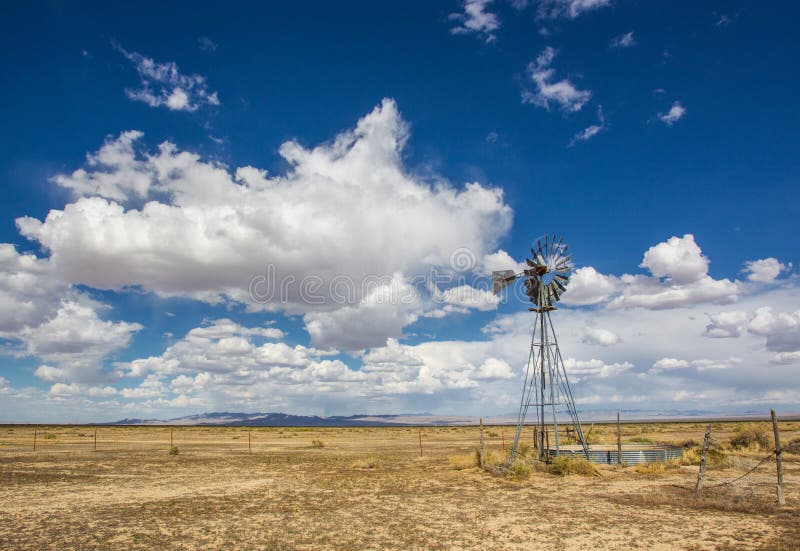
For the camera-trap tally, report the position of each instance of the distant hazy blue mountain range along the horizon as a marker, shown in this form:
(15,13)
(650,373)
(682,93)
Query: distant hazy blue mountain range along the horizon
(225,418)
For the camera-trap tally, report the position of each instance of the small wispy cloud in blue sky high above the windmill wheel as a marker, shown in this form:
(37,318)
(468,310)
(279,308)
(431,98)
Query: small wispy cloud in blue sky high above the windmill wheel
(547,91)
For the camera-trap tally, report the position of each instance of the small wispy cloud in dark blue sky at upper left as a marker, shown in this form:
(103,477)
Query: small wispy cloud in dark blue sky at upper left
(163,85)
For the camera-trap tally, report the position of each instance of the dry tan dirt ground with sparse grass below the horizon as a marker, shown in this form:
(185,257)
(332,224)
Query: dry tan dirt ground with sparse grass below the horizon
(369,488)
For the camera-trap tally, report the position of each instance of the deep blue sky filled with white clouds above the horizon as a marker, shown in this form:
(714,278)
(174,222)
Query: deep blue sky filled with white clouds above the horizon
(158,161)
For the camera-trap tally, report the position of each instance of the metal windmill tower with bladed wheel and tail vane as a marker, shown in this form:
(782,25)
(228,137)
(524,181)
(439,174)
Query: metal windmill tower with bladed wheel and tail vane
(546,386)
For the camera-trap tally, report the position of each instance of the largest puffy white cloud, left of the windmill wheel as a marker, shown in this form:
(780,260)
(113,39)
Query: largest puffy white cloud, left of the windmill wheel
(346,212)
